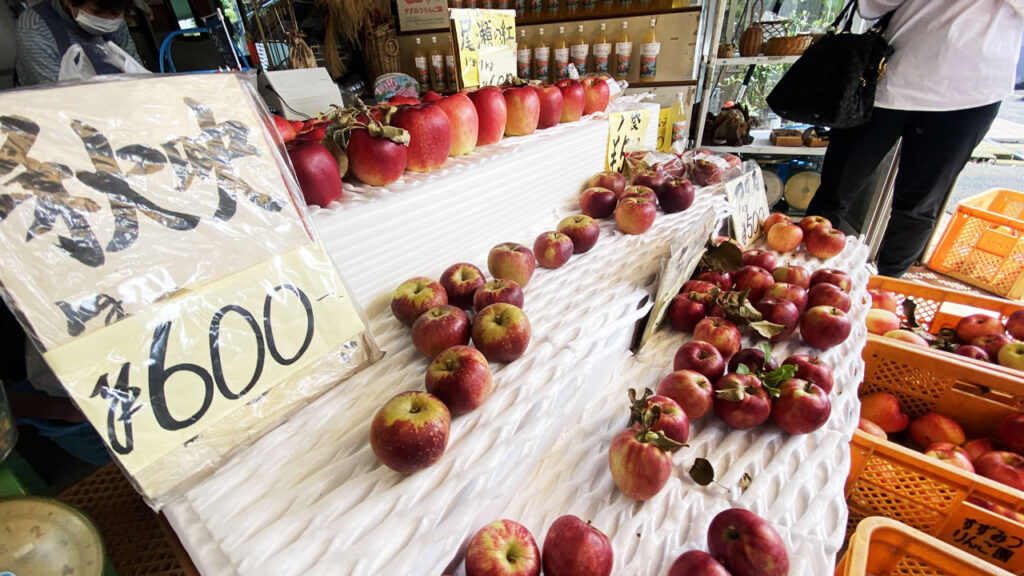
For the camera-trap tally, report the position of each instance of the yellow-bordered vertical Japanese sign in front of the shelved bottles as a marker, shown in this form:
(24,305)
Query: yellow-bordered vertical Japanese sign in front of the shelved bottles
(486,43)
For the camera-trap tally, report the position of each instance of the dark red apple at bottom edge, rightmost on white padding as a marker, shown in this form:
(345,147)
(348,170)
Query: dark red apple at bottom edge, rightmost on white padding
(747,545)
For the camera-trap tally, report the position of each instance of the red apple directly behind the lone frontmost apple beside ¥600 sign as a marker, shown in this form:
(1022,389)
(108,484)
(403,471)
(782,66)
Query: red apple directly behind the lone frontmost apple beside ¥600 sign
(460,377)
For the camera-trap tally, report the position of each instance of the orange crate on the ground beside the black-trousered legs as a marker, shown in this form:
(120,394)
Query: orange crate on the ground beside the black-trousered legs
(984,243)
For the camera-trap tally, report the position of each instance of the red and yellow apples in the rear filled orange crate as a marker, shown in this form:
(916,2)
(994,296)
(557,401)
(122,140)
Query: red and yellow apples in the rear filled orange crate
(978,336)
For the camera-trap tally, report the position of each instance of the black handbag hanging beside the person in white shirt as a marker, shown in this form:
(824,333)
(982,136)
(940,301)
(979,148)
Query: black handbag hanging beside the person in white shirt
(833,84)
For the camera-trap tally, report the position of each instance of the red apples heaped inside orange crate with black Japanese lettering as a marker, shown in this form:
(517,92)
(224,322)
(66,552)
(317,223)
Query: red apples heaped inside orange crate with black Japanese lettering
(1000,459)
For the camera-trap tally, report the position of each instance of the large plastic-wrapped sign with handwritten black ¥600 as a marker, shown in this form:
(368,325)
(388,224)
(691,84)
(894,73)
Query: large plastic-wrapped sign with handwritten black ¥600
(160,258)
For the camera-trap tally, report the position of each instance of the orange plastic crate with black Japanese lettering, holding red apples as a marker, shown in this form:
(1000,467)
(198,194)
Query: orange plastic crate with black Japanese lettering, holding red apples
(889,480)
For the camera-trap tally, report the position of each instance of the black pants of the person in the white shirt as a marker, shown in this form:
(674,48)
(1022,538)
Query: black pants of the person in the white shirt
(936,147)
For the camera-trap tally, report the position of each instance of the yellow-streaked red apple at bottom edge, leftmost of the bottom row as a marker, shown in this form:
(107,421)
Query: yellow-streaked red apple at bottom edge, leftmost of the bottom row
(503,548)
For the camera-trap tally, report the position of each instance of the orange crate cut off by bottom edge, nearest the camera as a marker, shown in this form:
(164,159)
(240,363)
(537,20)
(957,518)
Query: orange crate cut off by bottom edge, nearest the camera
(883,547)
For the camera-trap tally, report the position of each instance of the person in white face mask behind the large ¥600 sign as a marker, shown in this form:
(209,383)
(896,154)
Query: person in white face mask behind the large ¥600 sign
(48,30)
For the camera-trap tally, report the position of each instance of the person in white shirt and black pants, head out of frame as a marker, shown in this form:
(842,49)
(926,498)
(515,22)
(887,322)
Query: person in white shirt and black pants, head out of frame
(954,63)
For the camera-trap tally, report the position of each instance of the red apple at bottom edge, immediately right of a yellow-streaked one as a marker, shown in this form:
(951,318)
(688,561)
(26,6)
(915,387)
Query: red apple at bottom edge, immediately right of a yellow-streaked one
(574,548)
